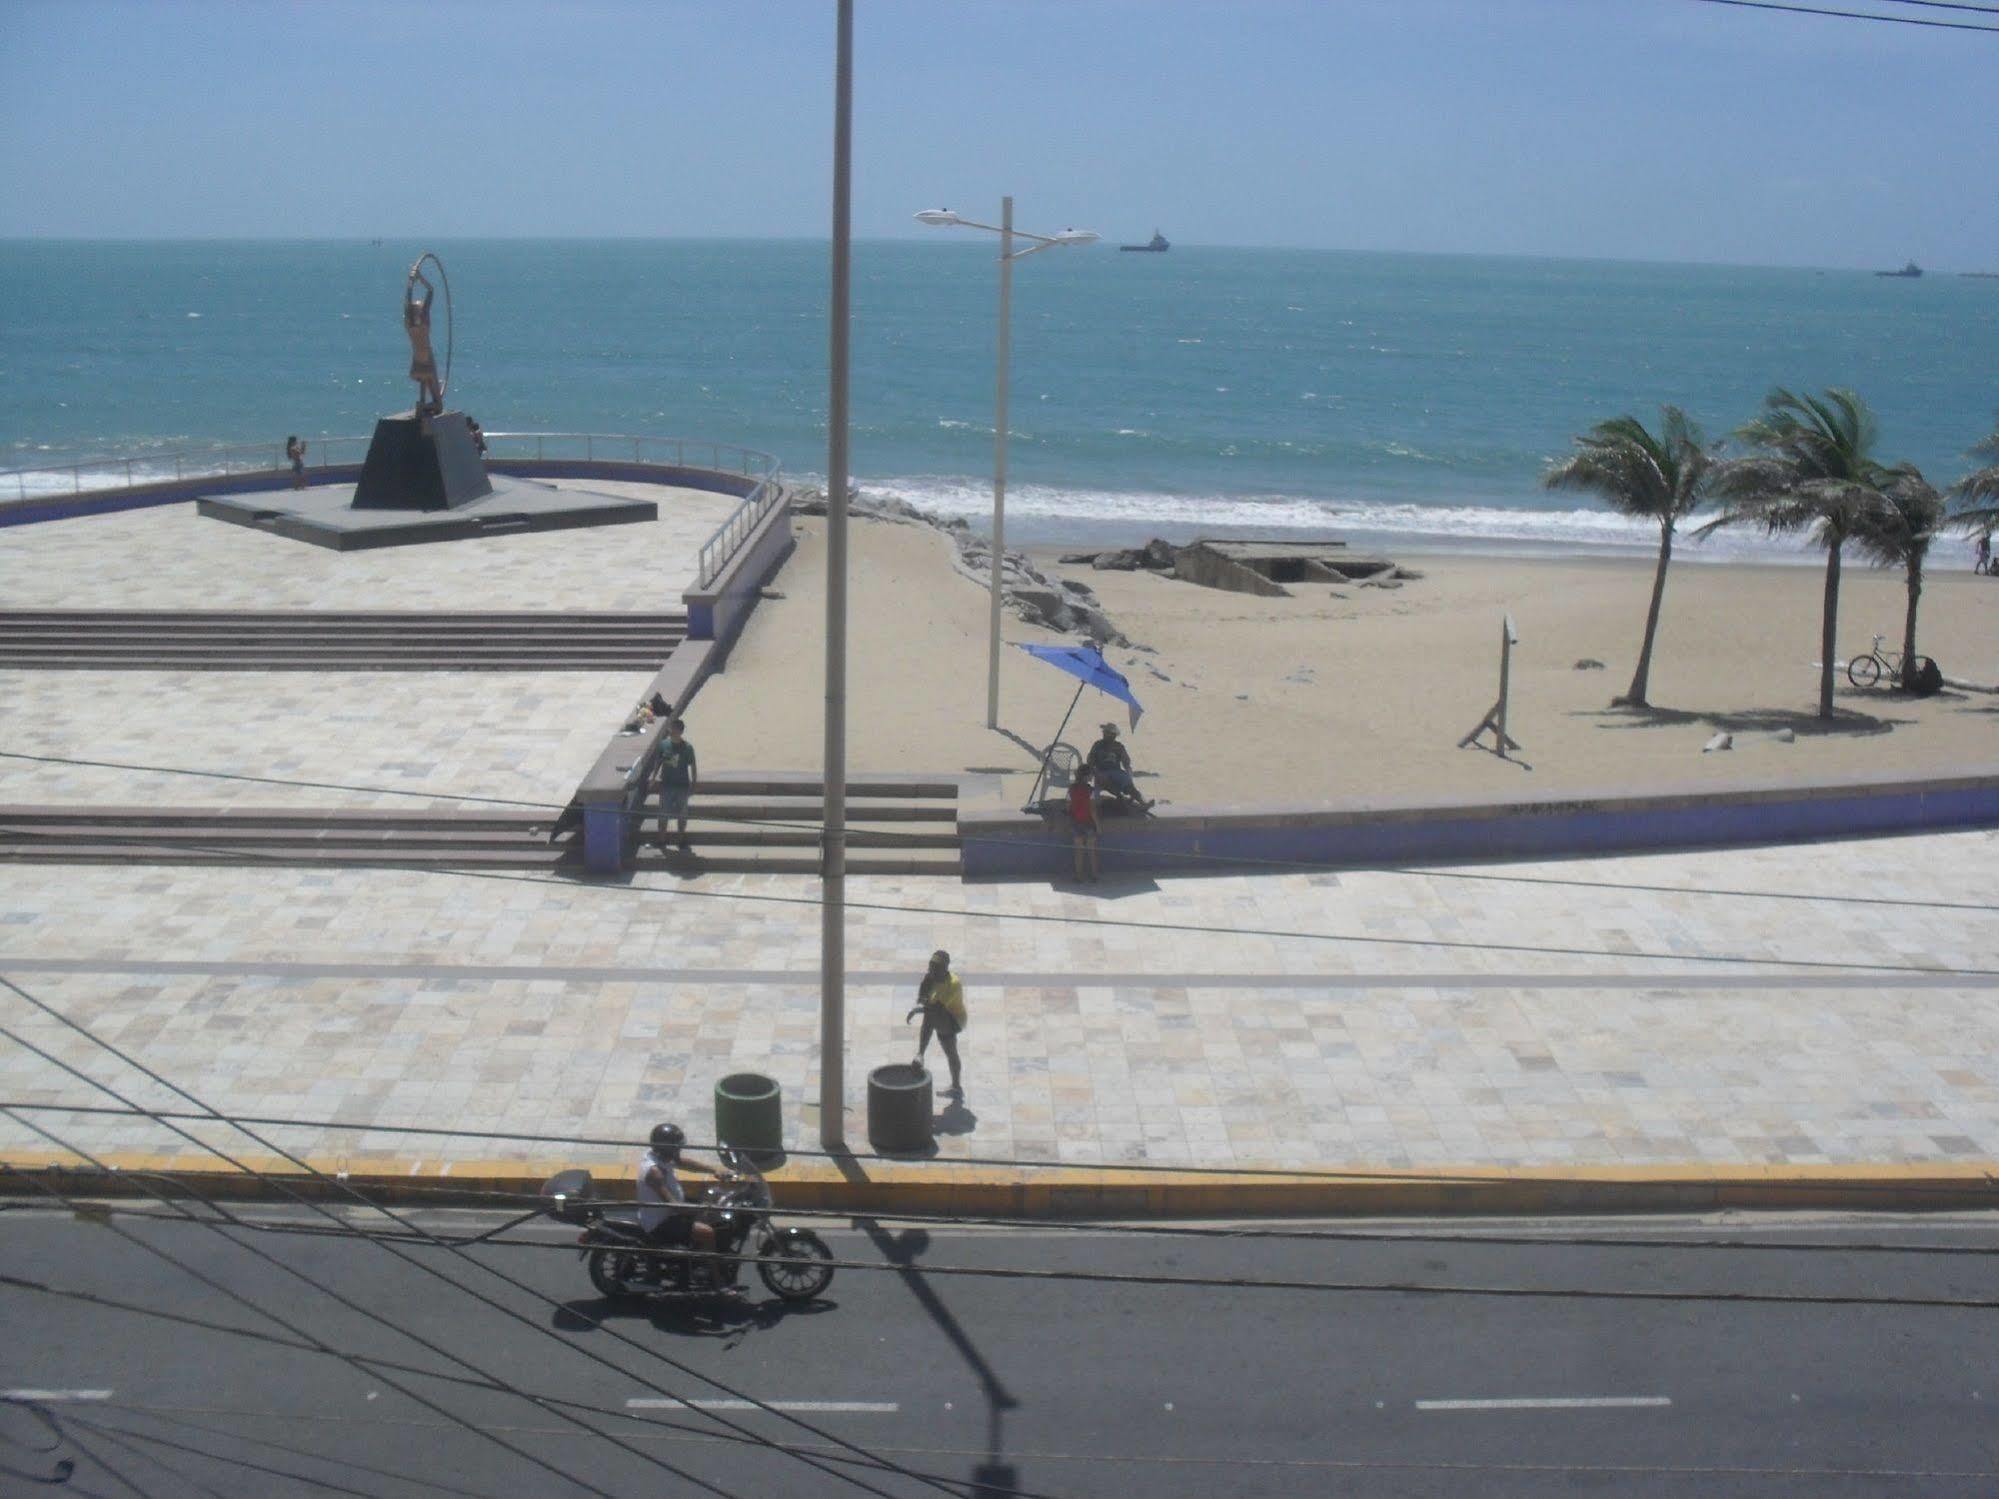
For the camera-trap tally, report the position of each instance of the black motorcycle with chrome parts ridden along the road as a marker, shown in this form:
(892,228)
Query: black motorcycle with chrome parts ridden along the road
(625,1262)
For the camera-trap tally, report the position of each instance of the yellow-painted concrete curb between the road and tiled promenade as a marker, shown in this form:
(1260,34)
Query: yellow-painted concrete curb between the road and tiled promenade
(879,1186)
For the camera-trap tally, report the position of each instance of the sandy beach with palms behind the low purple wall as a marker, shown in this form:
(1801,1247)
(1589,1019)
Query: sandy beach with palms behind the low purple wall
(1358,693)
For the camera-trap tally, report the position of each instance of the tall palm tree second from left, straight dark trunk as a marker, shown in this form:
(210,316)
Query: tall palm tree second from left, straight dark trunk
(1812,471)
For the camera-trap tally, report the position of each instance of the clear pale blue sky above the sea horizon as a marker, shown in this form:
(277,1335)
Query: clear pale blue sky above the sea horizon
(1594,129)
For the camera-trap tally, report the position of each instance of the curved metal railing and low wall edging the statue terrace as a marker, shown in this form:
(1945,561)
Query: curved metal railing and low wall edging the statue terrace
(121,473)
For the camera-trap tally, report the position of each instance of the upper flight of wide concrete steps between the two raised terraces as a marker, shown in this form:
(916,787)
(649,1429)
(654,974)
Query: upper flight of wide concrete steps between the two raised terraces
(313,641)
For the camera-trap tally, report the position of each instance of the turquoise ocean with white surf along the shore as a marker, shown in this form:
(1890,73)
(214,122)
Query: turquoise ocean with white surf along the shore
(1410,401)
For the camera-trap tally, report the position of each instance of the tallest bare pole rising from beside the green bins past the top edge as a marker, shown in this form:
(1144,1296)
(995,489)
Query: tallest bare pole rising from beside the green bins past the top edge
(835,906)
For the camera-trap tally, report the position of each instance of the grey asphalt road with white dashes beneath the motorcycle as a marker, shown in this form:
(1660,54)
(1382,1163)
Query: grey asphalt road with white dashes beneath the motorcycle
(165,1386)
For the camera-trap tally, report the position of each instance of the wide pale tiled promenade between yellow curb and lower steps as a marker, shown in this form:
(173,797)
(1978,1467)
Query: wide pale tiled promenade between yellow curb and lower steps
(1822,1004)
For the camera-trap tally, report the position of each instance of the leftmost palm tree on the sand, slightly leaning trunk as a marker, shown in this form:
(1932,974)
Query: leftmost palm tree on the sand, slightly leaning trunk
(1650,479)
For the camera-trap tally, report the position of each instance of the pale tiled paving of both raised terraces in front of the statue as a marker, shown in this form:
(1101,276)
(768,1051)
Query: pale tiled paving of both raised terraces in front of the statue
(499,735)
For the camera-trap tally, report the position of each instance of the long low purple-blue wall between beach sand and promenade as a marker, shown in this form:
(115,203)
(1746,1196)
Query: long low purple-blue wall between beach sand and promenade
(1002,842)
